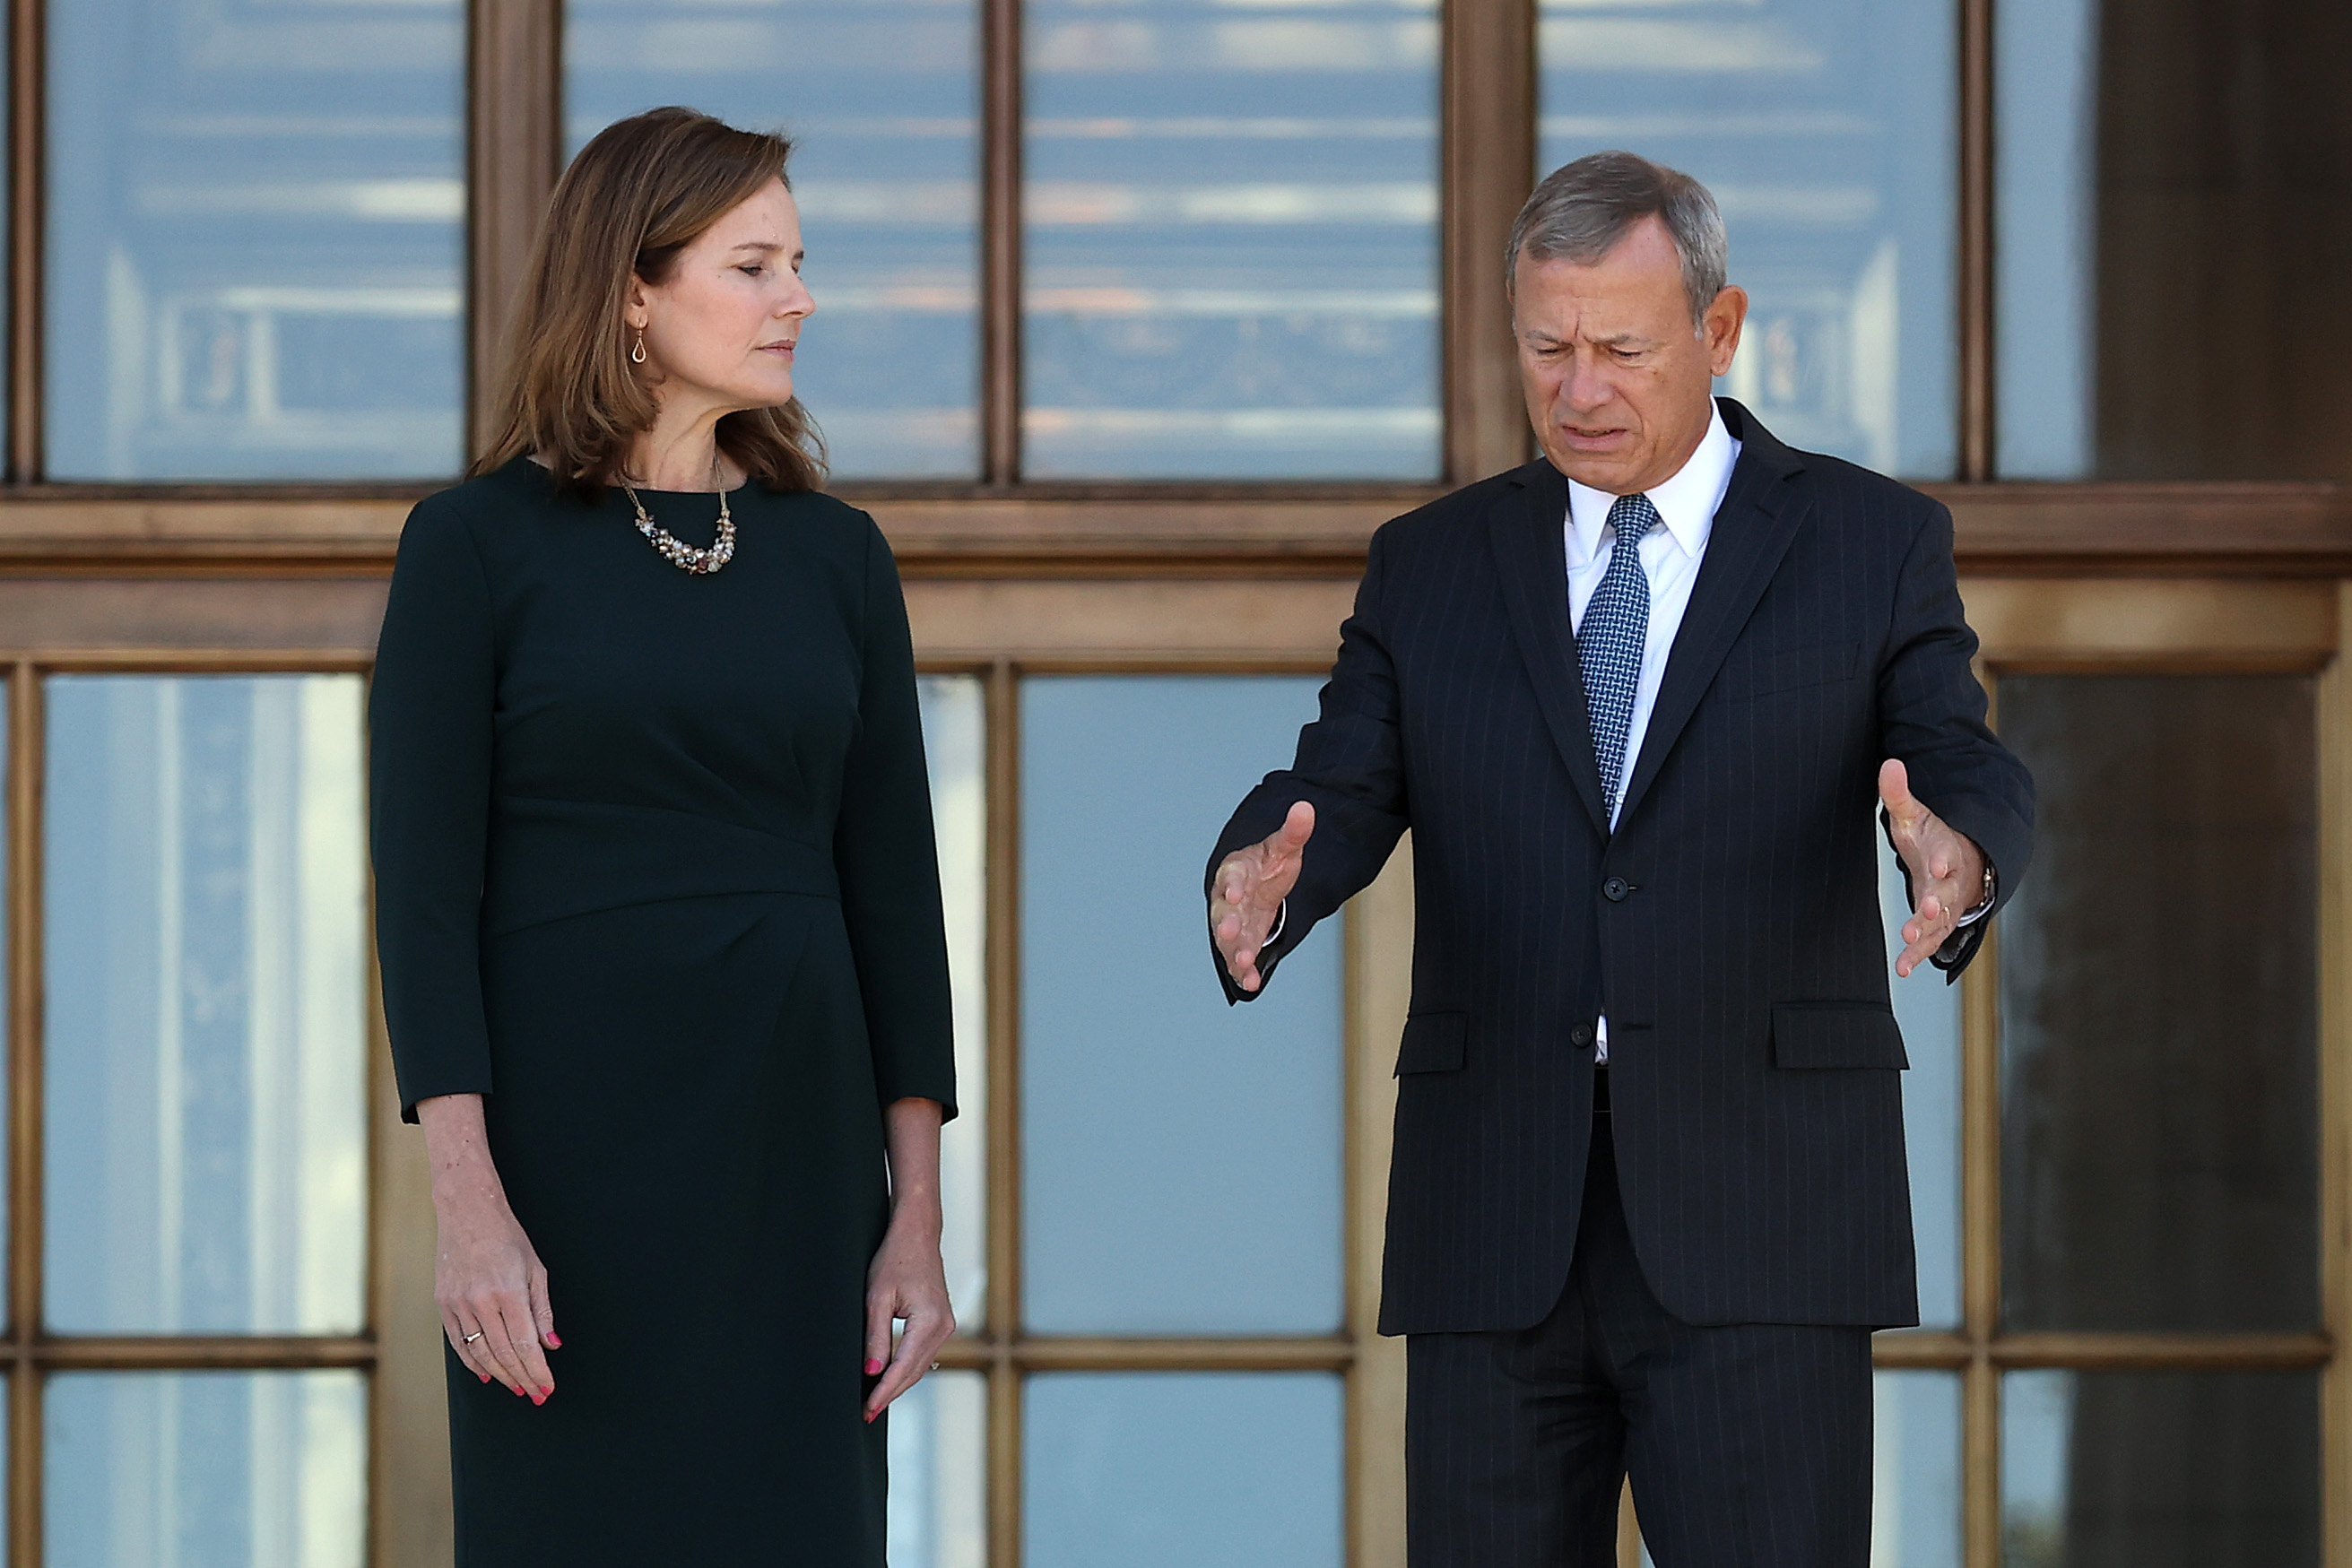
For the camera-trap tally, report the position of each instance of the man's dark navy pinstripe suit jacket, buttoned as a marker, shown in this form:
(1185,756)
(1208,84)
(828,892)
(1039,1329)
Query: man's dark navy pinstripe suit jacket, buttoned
(1730,927)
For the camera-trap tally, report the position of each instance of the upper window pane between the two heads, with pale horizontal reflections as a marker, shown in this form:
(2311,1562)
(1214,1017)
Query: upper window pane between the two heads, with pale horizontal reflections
(1231,241)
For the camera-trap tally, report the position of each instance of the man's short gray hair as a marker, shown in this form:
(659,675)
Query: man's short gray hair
(1582,210)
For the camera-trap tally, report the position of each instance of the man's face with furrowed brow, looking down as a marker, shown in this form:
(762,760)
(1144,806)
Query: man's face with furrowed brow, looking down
(1617,377)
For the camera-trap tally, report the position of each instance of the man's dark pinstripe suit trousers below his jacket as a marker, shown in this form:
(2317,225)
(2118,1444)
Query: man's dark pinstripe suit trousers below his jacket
(1749,1445)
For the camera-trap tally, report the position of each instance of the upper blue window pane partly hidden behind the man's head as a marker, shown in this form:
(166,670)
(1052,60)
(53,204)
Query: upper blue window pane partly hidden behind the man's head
(1826,130)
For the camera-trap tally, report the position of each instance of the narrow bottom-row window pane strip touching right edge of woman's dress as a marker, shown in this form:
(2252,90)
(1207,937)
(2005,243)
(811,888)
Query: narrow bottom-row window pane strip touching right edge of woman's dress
(940,1473)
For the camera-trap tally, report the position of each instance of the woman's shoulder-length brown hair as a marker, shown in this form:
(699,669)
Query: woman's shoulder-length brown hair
(627,208)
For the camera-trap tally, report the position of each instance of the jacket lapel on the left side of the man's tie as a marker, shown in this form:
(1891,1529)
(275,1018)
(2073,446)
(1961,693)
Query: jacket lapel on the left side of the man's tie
(1530,551)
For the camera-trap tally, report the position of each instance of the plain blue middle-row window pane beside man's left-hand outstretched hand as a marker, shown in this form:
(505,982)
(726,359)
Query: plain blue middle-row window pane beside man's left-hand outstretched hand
(1182,1158)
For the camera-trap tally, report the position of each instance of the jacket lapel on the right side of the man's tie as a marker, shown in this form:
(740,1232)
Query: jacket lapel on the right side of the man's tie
(1753,530)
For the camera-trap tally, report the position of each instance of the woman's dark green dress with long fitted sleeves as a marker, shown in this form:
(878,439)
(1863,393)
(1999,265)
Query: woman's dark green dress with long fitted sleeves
(655,876)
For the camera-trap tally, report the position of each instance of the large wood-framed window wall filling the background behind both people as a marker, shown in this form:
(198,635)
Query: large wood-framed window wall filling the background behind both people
(1132,323)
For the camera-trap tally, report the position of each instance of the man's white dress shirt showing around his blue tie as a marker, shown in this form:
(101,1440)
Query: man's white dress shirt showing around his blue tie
(1669,561)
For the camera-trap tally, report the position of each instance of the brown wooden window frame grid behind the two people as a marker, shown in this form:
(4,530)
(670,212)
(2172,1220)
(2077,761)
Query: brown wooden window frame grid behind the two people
(1010,575)
